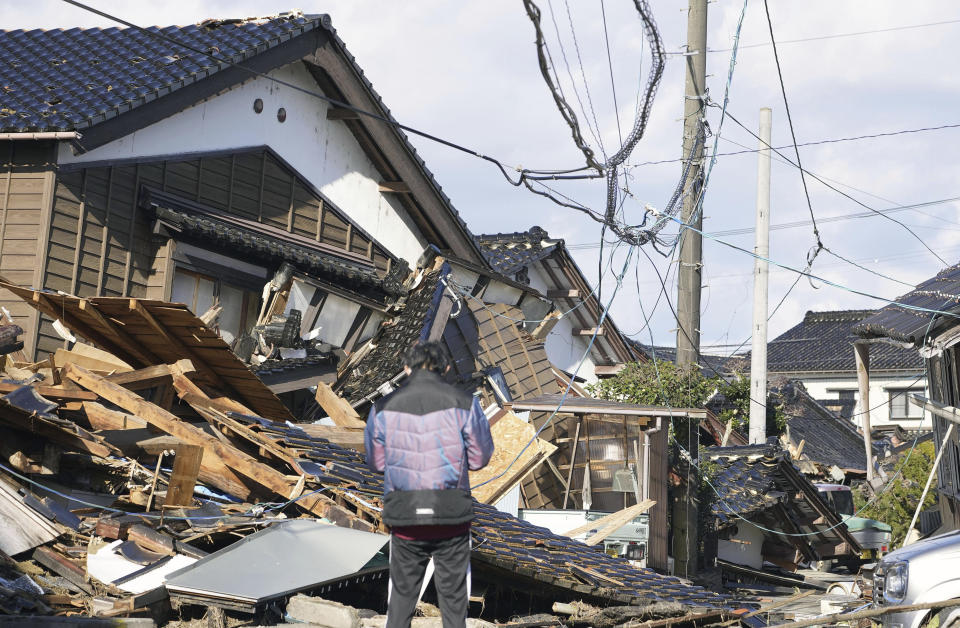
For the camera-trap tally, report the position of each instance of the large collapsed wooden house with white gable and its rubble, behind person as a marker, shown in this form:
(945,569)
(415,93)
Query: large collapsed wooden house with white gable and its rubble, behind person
(245,255)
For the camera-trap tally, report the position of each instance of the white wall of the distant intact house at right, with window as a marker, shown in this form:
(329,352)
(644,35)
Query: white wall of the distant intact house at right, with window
(825,387)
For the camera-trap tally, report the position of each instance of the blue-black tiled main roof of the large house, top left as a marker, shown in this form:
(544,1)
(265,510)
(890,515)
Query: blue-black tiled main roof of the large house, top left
(65,80)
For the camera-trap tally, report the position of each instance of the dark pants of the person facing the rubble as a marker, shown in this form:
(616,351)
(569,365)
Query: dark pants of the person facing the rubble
(408,563)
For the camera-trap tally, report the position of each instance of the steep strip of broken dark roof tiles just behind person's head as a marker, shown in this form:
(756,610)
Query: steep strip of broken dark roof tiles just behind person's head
(384,361)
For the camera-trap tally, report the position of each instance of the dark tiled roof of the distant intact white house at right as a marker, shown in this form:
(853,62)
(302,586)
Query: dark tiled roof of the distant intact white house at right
(823,342)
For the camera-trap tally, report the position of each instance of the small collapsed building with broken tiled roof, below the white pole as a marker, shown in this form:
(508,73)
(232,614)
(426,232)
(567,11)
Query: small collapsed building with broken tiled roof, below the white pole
(766,511)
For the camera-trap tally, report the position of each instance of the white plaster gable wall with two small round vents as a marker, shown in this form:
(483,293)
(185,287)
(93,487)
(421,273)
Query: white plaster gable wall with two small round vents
(322,151)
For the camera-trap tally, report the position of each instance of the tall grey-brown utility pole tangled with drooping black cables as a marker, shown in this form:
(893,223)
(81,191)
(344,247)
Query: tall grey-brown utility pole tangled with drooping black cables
(685,542)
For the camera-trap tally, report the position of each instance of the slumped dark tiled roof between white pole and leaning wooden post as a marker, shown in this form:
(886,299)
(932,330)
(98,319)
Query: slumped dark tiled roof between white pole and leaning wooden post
(828,439)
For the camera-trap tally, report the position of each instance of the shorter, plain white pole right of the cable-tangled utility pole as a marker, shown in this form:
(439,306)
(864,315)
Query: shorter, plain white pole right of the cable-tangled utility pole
(761,277)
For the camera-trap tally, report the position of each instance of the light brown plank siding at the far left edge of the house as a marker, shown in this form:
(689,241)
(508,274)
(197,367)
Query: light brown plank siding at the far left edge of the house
(26,183)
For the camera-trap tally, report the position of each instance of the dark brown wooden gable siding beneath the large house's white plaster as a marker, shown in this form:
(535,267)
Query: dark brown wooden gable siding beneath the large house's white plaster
(100,243)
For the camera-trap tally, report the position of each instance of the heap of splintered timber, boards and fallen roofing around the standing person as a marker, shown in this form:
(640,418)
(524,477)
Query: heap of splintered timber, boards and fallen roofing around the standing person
(163,474)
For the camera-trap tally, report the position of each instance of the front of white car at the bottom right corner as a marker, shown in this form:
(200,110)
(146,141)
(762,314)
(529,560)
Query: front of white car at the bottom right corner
(926,571)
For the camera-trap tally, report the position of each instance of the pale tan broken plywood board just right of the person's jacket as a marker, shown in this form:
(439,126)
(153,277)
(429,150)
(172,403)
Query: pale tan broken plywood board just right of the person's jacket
(512,458)
